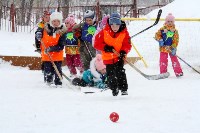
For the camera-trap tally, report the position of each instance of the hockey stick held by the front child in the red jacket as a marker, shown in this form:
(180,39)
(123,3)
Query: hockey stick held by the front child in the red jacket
(149,77)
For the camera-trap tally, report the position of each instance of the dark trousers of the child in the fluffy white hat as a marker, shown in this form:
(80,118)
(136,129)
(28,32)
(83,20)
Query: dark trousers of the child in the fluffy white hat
(50,73)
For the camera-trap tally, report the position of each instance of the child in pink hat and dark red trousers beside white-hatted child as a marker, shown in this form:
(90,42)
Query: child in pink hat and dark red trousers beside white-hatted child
(72,48)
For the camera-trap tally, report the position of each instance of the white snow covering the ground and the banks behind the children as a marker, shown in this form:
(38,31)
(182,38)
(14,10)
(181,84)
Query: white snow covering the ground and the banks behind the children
(170,105)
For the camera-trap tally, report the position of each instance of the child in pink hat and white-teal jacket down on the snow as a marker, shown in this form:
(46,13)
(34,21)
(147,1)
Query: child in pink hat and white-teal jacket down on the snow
(95,76)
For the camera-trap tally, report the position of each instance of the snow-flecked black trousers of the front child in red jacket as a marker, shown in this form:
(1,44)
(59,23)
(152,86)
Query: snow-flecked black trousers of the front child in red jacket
(116,77)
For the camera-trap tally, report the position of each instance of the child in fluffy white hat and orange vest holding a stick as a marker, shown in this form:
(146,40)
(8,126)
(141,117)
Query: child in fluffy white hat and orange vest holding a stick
(51,36)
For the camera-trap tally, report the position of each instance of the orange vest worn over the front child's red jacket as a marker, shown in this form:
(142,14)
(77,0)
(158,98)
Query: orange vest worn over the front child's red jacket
(115,42)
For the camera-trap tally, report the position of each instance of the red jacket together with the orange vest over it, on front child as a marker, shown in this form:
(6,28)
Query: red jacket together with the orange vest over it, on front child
(120,41)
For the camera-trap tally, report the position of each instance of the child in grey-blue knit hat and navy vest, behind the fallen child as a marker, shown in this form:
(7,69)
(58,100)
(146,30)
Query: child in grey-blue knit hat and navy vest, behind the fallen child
(86,30)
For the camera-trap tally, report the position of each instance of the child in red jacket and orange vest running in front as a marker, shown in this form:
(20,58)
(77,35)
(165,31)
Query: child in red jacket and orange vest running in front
(114,37)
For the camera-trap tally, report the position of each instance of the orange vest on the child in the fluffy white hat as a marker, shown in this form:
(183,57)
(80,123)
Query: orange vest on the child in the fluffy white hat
(51,41)
